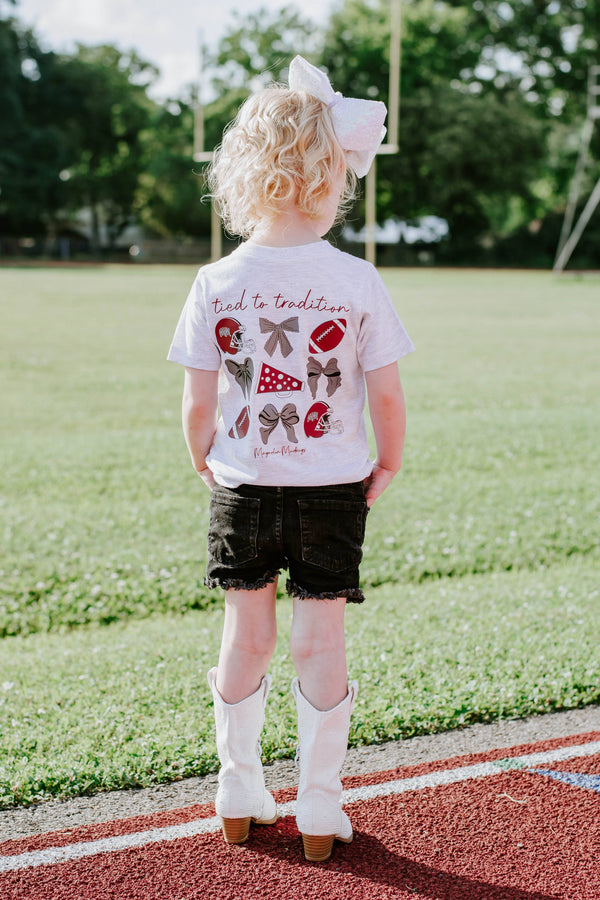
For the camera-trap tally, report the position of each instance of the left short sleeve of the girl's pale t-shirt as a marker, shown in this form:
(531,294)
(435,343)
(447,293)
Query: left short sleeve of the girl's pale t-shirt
(193,345)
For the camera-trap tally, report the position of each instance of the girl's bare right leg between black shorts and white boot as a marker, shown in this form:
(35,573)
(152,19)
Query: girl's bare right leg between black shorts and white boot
(318,648)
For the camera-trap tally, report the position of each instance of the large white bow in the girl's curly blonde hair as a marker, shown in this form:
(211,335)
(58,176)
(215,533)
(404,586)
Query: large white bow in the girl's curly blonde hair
(358,124)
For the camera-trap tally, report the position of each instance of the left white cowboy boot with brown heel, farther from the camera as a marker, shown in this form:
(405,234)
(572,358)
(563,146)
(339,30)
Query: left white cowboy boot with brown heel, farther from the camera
(241,795)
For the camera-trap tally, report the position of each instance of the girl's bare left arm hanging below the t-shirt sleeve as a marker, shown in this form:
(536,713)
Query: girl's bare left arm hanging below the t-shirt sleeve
(199,417)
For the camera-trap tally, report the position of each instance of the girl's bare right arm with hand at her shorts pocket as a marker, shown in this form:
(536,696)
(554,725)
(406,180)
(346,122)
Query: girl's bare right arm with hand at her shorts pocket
(388,416)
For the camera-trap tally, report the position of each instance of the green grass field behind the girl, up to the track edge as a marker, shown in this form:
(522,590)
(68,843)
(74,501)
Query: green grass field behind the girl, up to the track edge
(482,561)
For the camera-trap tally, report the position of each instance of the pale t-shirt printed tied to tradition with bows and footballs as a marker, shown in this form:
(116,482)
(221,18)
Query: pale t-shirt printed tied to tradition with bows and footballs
(293,331)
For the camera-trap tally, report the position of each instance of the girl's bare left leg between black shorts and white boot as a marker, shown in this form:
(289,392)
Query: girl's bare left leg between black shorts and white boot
(249,636)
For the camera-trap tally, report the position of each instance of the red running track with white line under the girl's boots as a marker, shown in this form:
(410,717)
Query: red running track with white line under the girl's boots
(519,824)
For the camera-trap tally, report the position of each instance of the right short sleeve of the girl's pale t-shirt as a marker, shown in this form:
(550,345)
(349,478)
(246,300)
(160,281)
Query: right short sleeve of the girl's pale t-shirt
(382,338)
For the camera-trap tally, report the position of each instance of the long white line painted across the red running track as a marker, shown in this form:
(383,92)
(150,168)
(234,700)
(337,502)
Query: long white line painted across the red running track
(53,855)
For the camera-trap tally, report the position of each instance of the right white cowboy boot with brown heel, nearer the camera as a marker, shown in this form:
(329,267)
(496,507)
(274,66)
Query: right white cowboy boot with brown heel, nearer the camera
(323,741)
